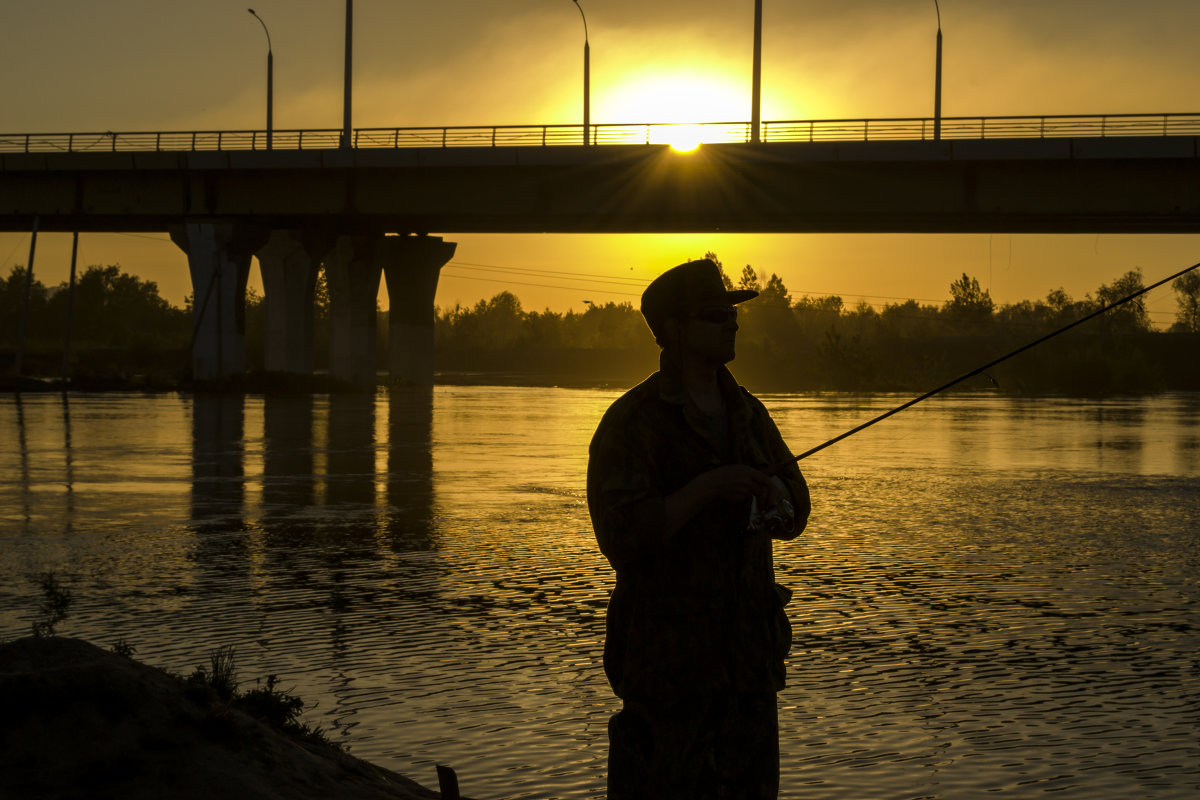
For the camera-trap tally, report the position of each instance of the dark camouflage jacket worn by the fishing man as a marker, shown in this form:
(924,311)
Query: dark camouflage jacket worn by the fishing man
(703,612)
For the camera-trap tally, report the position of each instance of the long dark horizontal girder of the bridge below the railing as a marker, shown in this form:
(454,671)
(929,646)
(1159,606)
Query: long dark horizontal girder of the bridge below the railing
(1117,185)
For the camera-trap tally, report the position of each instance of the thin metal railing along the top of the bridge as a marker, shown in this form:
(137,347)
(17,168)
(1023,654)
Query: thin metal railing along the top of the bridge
(505,136)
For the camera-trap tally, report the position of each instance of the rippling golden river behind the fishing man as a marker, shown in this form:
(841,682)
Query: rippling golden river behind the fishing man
(995,594)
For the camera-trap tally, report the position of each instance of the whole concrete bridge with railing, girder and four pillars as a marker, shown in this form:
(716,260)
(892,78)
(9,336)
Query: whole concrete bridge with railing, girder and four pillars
(365,208)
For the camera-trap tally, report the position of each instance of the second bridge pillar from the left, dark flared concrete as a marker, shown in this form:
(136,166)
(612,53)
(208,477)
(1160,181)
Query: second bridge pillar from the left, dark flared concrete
(290,262)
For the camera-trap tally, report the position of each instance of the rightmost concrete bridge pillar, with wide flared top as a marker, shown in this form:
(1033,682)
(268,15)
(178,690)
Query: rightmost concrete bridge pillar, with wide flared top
(412,273)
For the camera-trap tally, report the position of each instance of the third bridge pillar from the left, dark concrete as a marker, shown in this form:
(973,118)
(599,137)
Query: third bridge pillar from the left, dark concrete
(352,273)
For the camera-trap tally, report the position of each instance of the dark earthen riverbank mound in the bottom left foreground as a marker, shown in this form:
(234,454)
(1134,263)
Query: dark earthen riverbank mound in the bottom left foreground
(82,721)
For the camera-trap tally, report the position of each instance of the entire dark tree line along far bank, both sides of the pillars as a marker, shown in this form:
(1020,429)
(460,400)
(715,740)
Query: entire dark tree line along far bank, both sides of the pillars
(122,327)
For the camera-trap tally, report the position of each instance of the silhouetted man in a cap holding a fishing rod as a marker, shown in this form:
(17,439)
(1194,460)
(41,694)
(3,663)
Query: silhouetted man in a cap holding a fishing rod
(688,484)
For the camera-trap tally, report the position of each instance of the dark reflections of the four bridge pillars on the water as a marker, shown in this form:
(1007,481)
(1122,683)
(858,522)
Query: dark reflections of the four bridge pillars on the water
(350,472)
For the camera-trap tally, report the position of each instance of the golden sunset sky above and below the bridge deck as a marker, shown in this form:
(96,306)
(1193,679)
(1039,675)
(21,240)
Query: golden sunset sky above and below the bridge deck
(160,65)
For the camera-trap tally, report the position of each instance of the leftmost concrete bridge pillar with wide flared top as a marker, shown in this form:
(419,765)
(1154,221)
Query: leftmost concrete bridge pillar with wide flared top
(219,260)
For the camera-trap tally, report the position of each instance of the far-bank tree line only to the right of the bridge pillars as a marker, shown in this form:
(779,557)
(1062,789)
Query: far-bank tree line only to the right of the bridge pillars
(818,344)
